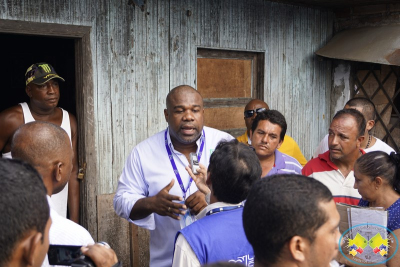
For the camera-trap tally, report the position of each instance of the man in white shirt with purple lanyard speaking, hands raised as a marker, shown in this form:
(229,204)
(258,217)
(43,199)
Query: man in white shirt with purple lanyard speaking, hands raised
(154,178)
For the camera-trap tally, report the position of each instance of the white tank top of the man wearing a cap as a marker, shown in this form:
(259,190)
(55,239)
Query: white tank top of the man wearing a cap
(60,199)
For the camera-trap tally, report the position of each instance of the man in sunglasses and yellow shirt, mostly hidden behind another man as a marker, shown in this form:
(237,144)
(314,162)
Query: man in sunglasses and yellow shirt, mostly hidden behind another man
(288,147)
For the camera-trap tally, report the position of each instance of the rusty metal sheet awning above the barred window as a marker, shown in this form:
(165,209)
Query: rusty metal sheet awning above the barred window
(369,44)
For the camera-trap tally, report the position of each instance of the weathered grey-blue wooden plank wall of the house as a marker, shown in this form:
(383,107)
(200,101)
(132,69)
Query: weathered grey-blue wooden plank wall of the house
(138,56)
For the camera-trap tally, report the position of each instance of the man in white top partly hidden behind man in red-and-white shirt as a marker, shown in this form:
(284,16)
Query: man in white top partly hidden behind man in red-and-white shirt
(370,143)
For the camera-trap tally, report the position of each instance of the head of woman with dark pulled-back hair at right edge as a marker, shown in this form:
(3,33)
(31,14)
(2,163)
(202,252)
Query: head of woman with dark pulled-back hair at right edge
(374,170)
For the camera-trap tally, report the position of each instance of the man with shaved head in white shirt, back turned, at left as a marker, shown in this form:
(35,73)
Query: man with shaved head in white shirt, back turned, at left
(48,149)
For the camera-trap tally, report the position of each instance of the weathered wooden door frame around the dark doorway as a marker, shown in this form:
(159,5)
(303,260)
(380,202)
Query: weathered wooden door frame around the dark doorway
(84,103)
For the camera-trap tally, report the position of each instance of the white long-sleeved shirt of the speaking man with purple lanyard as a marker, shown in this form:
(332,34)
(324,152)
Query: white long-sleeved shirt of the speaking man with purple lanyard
(147,171)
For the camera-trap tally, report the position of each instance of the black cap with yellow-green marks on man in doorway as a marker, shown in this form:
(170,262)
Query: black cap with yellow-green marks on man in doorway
(40,73)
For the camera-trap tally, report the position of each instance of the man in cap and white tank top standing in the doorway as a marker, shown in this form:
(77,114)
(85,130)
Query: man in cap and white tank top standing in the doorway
(43,90)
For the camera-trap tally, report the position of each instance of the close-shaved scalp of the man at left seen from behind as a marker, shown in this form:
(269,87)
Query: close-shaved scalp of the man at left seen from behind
(40,143)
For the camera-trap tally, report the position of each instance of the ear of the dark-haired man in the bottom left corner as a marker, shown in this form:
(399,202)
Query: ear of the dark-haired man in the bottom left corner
(30,246)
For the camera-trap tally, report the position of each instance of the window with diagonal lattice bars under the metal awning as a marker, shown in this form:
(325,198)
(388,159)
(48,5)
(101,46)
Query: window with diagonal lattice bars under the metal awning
(381,84)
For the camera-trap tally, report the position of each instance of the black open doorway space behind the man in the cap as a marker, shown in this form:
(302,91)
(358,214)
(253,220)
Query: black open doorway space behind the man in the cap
(20,51)
